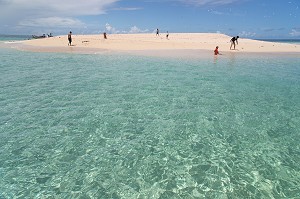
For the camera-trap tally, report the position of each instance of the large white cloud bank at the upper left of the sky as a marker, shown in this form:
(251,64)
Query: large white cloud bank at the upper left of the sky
(37,13)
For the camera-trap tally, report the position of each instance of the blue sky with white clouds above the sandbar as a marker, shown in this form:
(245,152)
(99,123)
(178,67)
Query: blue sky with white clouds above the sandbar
(247,18)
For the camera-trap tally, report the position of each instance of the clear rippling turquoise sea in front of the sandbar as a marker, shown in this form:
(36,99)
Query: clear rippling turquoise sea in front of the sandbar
(125,127)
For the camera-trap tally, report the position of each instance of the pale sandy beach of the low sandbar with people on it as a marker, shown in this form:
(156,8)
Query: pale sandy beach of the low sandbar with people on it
(156,45)
